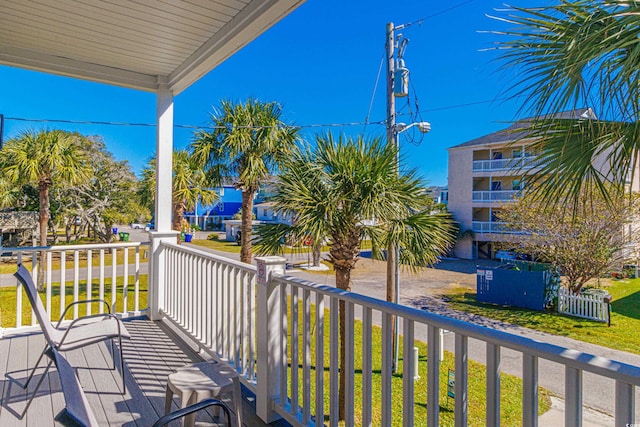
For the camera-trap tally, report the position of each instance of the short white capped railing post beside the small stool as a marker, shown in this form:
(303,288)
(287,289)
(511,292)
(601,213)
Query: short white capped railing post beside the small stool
(271,348)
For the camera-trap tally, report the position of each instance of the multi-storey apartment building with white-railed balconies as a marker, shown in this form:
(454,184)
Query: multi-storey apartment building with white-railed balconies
(485,173)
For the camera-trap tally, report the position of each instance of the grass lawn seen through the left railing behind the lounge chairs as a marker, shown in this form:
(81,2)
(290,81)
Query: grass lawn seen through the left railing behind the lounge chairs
(8,299)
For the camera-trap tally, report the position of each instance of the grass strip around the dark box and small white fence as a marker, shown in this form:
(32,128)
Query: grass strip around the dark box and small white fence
(625,317)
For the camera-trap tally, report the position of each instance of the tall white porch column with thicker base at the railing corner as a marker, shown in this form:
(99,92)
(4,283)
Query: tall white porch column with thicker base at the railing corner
(164,167)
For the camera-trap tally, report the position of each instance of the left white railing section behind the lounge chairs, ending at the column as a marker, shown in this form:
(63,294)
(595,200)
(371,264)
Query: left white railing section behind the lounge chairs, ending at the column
(101,265)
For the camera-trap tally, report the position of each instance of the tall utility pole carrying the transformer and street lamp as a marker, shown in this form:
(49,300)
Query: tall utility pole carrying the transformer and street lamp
(392,249)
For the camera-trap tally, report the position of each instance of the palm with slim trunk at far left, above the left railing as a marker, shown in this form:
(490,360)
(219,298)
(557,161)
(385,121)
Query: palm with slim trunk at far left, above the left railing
(42,159)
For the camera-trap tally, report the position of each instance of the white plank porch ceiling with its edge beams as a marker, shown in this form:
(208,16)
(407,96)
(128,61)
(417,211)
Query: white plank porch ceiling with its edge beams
(132,43)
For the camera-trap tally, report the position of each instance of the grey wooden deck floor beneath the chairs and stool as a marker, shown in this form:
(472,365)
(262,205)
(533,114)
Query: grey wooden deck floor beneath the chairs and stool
(153,352)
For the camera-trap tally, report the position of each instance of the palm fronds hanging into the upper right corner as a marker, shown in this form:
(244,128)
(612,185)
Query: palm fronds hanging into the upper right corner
(575,54)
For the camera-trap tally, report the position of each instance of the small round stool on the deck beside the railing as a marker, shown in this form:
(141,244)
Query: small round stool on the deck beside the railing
(195,382)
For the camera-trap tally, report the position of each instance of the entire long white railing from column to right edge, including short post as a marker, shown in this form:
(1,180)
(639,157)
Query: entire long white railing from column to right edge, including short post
(279,324)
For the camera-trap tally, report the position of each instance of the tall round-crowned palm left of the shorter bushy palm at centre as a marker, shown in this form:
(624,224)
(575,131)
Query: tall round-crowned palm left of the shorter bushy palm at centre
(248,141)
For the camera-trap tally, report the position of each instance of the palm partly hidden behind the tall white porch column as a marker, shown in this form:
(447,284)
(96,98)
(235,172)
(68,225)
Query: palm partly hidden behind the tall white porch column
(189,186)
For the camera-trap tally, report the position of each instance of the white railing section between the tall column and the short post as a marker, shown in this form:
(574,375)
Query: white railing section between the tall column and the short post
(213,300)
